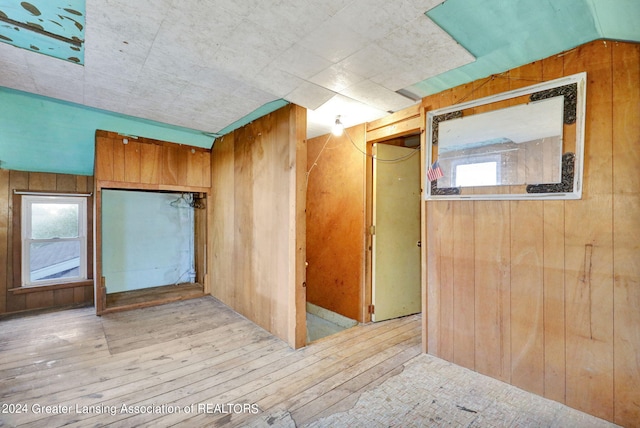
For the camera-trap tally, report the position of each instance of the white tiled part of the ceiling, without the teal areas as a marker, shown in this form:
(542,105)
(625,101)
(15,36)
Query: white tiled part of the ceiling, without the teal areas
(201,63)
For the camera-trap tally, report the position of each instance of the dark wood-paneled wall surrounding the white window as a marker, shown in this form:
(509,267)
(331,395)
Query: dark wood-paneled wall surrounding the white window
(44,297)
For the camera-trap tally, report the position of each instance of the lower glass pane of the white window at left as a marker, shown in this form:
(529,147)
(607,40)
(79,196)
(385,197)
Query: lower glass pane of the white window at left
(50,260)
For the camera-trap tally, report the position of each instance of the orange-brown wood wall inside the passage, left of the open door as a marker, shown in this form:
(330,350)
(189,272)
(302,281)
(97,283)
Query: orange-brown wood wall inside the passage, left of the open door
(336,216)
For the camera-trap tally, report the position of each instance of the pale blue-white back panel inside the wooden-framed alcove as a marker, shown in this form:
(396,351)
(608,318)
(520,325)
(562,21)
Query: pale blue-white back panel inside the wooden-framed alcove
(146,242)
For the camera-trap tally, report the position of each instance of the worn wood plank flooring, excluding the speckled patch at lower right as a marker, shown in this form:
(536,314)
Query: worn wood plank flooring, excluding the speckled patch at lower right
(188,363)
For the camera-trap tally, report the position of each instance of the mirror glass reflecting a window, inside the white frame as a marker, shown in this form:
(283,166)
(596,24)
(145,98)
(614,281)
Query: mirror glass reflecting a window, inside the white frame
(511,146)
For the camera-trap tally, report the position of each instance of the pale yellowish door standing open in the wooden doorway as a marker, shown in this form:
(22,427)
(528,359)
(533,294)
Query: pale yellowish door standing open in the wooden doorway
(396,236)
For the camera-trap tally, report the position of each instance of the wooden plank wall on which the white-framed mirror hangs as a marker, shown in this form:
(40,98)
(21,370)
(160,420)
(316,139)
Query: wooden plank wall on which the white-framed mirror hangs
(545,295)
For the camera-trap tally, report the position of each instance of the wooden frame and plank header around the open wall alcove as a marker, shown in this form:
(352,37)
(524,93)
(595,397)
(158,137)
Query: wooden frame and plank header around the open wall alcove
(136,163)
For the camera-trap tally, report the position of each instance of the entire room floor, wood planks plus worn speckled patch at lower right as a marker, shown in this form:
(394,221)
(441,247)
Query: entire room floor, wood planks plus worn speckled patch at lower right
(201,356)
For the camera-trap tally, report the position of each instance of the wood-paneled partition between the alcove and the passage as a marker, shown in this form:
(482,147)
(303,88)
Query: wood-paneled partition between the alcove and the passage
(258,222)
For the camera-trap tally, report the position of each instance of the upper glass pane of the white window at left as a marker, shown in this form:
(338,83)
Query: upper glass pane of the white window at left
(50,221)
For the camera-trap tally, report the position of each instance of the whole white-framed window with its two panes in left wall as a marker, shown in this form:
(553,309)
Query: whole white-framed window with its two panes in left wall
(54,239)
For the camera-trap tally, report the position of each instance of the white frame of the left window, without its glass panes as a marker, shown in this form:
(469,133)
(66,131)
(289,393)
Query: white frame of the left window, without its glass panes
(26,226)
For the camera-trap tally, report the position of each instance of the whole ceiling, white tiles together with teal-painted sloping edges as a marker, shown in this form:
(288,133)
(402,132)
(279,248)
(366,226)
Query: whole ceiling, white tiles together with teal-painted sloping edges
(190,70)
